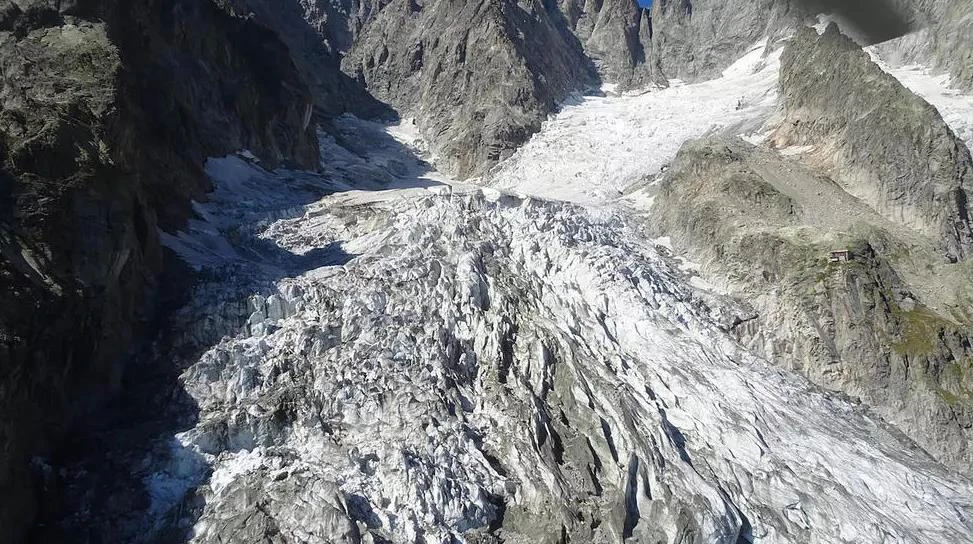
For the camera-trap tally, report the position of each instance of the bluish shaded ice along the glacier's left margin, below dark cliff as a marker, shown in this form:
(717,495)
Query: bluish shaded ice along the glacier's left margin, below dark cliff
(238,268)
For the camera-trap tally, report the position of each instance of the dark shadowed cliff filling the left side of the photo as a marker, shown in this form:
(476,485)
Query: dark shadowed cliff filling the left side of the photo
(108,109)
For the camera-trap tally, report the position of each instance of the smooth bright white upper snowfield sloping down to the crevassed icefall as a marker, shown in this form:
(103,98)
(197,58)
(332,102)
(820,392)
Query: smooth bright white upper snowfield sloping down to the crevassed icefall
(592,150)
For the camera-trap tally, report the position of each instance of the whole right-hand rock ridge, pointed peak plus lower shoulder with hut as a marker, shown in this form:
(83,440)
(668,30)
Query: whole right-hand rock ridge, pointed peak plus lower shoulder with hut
(892,325)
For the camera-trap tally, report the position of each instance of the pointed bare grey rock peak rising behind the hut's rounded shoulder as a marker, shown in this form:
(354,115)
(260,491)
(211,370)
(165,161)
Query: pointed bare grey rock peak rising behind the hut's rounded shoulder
(881,142)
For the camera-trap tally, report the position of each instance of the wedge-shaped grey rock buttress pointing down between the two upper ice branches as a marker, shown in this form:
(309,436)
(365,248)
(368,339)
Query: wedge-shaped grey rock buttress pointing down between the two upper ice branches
(478,77)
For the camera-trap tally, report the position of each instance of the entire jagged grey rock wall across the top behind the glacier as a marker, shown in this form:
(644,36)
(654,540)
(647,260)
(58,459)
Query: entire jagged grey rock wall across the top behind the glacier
(438,62)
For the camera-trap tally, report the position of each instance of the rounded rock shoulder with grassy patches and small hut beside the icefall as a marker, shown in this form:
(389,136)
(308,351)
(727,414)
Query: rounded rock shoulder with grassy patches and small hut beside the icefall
(763,228)
